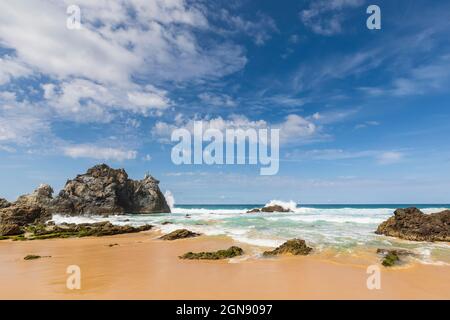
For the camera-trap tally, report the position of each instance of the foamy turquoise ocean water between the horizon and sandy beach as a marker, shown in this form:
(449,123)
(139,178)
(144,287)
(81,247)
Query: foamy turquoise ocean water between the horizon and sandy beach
(341,228)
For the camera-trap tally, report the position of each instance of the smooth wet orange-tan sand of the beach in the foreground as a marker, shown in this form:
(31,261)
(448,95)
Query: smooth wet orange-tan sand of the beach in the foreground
(142,267)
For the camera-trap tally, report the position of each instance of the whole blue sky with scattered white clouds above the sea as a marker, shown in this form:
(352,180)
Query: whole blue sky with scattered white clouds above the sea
(364,114)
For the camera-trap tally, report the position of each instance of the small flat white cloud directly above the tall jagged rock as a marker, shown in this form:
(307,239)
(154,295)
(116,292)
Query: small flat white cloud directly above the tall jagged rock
(99,153)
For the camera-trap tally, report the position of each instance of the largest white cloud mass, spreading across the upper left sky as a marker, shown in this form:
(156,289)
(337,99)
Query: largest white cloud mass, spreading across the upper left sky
(92,71)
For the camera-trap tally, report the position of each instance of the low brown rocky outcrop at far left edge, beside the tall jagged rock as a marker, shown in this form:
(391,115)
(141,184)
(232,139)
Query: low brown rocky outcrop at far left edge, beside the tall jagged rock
(14,218)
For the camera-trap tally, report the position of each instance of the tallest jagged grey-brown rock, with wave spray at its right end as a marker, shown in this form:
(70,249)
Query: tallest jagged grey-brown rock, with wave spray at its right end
(103,190)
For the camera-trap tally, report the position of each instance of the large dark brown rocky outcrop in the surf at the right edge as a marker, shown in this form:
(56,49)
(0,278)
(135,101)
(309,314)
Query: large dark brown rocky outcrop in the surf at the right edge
(412,224)
